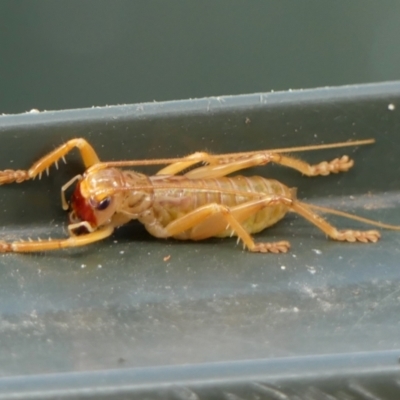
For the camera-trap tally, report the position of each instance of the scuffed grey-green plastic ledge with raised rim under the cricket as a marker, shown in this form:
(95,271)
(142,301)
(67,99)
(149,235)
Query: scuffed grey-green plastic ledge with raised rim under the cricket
(118,319)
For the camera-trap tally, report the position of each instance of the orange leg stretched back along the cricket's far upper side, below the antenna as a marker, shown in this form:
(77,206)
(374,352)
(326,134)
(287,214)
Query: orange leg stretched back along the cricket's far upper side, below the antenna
(220,166)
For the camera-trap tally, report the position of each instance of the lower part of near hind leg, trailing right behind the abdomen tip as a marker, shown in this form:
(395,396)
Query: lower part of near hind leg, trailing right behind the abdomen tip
(342,235)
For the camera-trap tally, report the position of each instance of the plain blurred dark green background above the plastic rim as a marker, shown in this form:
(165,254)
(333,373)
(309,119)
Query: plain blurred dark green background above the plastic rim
(71,54)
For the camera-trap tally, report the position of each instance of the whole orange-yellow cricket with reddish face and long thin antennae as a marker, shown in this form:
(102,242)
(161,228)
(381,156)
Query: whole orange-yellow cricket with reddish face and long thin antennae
(191,198)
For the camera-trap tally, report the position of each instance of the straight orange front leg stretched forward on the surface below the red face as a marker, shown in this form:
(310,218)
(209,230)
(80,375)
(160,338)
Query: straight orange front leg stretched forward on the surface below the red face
(55,244)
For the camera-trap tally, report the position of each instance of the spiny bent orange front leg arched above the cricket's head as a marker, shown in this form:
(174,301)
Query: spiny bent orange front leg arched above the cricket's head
(88,155)
